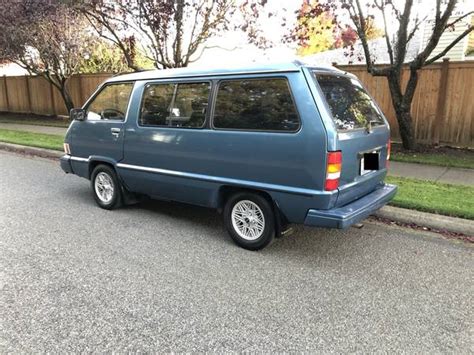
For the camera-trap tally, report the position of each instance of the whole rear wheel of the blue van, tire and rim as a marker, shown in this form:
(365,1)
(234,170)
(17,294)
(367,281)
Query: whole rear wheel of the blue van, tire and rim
(249,220)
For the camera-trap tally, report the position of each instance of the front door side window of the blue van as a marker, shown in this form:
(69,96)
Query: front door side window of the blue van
(110,103)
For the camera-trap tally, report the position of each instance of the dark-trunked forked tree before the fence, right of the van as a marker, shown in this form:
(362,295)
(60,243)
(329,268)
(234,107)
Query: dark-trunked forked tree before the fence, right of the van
(397,43)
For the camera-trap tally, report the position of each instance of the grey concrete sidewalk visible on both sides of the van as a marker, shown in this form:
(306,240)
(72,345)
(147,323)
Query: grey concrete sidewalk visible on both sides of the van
(416,171)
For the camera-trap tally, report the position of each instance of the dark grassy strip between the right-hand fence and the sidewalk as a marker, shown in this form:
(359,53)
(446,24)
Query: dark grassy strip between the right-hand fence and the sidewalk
(450,157)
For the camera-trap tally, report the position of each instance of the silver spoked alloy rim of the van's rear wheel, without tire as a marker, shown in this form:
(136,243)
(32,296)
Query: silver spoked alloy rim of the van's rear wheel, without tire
(248,220)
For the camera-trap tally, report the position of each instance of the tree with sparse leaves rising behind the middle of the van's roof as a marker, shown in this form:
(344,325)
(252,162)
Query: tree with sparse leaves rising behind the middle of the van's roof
(171,33)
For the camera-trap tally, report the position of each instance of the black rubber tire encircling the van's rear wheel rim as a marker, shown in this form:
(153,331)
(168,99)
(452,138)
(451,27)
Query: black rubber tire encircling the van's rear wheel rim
(268,234)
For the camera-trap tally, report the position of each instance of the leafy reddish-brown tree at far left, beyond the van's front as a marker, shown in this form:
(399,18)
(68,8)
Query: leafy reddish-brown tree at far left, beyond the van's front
(46,38)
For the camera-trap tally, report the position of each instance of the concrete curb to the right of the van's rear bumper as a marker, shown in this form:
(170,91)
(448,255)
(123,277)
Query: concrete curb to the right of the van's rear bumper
(424,219)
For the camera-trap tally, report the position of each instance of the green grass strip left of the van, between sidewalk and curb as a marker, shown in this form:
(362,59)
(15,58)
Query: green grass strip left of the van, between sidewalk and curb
(41,140)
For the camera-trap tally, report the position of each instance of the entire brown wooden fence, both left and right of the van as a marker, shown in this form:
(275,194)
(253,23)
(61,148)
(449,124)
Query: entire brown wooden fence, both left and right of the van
(443,107)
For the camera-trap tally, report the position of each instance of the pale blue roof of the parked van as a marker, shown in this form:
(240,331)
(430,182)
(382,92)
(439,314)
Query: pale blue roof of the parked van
(198,72)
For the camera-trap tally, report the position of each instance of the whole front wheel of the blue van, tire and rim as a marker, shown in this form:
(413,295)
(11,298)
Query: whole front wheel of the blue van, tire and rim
(106,187)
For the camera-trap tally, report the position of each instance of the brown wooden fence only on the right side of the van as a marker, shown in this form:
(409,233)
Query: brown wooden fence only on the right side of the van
(443,105)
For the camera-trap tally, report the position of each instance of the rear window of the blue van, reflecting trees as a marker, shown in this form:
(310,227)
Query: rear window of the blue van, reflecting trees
(350,105)
